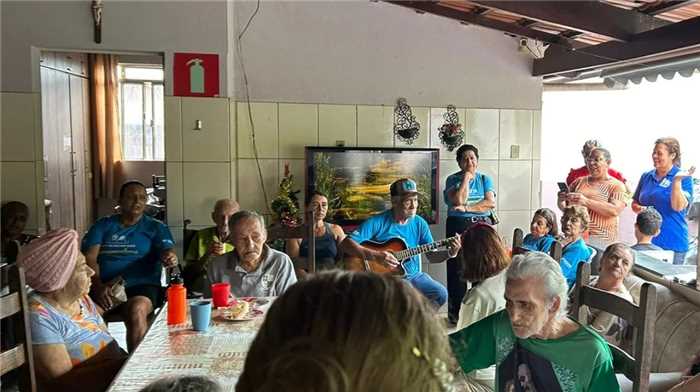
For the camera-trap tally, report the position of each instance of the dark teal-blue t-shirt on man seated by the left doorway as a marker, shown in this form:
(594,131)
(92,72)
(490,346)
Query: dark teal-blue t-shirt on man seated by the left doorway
(132,252)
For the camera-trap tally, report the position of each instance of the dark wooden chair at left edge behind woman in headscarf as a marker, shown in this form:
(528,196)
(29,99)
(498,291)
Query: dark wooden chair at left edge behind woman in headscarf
(14,309)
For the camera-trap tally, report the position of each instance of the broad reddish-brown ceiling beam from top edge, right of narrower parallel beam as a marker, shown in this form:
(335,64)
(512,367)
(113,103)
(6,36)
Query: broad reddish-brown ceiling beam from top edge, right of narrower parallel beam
(587,16)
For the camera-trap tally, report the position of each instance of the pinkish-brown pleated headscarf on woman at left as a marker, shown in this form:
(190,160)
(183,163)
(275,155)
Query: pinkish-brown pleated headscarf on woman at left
(49,260)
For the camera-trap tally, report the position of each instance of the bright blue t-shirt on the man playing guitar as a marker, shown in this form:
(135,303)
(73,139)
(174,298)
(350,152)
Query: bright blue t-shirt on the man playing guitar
(382,227)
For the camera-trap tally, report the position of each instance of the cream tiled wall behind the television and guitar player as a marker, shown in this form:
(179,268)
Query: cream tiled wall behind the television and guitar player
(283,129)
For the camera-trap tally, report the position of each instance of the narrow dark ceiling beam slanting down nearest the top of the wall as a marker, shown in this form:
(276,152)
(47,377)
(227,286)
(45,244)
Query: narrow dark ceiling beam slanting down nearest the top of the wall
(470,18)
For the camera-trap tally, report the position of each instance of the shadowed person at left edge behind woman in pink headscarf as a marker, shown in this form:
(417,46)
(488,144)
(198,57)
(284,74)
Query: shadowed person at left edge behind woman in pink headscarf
(14,217)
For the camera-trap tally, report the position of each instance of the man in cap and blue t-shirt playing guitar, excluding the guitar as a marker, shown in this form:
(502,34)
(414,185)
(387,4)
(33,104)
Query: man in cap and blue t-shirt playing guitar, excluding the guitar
(402,222)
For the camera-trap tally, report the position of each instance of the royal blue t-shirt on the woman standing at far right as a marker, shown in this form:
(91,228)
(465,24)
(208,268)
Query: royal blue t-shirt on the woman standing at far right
(655,193)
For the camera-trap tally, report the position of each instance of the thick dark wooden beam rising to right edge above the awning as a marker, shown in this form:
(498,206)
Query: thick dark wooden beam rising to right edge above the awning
(674,37)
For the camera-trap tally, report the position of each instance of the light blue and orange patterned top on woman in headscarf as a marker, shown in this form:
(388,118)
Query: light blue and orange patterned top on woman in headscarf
(84,334)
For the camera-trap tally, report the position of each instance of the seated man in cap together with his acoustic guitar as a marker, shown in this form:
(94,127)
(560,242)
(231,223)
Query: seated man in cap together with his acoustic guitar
(392,241)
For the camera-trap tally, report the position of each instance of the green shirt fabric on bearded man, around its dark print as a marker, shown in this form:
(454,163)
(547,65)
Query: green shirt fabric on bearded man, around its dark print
(581,360)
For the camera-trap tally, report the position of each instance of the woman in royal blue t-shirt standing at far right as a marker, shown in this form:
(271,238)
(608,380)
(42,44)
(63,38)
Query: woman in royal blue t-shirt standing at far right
(669,190)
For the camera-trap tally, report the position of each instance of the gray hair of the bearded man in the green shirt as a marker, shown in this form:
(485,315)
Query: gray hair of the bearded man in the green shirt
(541,266)
